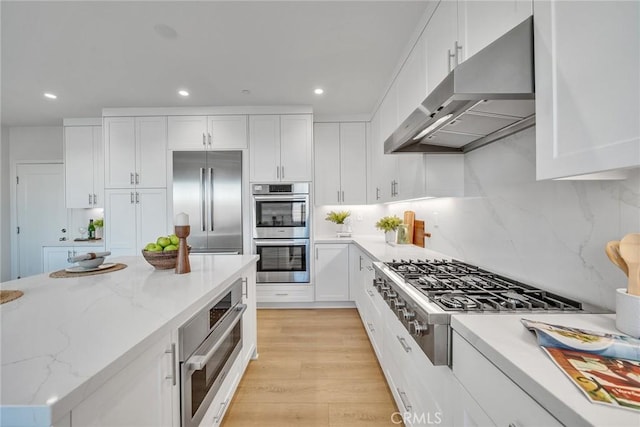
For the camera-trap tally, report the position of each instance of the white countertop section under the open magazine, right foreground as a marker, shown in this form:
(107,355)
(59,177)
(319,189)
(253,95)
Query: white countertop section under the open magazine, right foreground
(514,350)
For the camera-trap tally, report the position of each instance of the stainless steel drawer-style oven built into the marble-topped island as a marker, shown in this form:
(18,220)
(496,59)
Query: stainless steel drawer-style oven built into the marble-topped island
(209,345)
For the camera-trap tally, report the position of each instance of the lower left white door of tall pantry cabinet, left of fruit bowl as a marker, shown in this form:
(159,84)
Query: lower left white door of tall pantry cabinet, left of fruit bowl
(120,217)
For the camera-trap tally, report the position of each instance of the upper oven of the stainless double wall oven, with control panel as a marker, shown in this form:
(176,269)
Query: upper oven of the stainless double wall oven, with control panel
(281,211)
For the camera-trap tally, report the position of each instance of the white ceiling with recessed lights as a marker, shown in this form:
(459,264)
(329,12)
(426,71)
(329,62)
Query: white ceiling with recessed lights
(113,54)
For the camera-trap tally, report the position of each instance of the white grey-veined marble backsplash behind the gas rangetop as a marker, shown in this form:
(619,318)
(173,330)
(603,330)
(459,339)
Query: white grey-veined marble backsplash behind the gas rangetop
(550,234)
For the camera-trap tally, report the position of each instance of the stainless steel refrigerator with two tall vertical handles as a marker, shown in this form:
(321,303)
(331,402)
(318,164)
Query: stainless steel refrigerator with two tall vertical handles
(207,185)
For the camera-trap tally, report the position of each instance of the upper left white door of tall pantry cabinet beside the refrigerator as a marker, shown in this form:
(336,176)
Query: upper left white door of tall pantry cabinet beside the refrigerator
(120,152)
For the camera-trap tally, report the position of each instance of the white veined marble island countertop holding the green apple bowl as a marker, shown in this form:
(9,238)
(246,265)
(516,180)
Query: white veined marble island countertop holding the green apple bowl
(64,337)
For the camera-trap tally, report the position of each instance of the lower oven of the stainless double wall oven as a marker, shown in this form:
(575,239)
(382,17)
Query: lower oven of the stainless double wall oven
(282,260)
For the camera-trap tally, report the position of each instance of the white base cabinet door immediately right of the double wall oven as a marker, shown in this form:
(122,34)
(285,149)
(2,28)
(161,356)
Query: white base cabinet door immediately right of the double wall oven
(332,272)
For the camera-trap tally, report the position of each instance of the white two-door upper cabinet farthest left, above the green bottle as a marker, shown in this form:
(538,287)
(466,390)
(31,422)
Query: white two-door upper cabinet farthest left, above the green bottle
(84,167)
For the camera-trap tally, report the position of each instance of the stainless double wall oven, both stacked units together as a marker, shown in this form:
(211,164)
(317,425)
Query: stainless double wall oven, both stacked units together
(281,232)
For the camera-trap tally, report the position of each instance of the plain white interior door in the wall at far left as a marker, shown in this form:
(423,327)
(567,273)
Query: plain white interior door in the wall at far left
(40,212)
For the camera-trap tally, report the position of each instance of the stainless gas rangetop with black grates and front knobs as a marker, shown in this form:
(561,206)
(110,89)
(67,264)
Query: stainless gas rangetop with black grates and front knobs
(424,295)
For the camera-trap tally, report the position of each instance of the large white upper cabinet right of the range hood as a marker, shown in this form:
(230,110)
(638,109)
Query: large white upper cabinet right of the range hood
(587,84)
